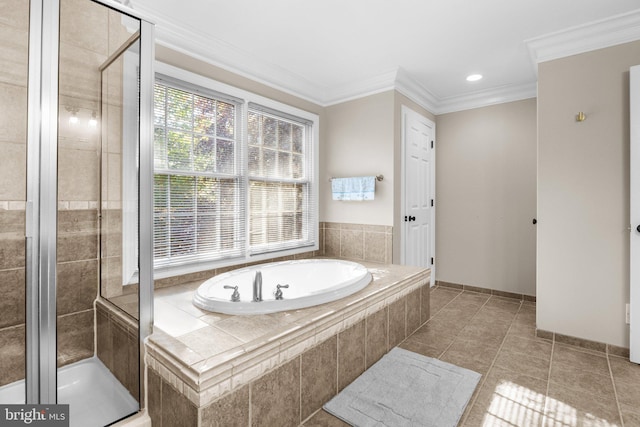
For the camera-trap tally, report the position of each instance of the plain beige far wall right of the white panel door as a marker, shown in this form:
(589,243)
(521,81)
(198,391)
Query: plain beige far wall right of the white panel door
(486,197)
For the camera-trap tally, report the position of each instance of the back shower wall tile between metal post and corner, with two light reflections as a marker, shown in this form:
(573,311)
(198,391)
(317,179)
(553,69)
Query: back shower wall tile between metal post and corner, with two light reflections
(84,46)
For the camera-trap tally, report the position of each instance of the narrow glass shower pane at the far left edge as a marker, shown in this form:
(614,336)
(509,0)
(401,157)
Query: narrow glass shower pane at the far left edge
(14,40)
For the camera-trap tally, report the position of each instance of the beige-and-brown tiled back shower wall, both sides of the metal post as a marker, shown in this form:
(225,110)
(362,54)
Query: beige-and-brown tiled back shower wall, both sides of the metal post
(89,33)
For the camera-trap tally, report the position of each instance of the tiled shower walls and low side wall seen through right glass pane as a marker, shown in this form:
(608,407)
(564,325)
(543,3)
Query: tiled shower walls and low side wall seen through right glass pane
(89,34)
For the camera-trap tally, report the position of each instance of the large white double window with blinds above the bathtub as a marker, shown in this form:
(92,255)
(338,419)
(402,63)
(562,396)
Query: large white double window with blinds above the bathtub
(235,176)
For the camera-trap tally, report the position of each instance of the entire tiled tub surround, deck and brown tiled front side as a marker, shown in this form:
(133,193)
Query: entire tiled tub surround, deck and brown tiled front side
(282,366)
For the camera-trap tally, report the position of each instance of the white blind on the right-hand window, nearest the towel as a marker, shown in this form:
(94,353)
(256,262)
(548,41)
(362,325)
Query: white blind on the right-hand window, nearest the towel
(281,203)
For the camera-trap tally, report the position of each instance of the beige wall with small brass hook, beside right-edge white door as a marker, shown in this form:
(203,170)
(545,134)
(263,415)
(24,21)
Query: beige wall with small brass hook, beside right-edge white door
(583,194)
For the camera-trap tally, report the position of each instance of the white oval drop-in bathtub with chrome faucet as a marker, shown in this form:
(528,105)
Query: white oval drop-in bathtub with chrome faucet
(311,282)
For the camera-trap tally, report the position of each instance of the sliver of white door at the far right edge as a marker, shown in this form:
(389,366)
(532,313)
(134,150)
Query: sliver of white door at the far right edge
(634,239)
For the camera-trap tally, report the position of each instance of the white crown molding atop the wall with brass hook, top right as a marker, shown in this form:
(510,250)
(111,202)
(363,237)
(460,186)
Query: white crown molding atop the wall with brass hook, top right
(599,34)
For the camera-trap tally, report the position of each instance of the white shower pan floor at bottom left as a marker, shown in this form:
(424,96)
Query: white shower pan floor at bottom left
(95,396)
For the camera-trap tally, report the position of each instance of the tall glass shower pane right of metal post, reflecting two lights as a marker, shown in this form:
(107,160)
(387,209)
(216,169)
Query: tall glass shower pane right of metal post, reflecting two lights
(97,213)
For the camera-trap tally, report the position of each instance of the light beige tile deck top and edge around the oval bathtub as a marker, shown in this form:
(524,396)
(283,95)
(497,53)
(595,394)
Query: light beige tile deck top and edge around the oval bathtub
(231,351)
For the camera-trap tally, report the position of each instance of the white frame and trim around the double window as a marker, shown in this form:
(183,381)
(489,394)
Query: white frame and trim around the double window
(187,80)
